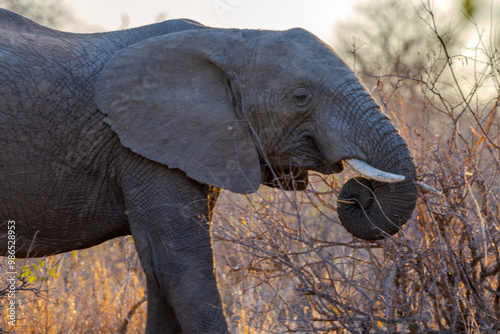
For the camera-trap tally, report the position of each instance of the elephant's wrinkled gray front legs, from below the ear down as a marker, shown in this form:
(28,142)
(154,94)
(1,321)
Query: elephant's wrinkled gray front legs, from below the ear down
(172,237)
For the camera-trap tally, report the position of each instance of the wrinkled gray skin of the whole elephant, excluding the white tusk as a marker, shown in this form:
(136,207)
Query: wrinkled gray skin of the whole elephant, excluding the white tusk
(103,135)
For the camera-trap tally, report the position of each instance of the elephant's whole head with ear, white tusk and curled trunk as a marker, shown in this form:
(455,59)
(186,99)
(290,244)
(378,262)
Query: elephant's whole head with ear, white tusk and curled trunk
(238,108)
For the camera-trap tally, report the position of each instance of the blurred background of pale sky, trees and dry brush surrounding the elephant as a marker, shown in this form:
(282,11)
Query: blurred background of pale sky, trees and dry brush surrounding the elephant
(284,262)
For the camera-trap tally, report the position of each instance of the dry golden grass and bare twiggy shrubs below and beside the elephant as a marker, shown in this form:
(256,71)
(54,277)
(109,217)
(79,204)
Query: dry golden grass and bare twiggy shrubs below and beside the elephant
(286,265)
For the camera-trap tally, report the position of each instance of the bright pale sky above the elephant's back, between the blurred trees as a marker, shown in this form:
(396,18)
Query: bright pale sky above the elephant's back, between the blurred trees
(317,16)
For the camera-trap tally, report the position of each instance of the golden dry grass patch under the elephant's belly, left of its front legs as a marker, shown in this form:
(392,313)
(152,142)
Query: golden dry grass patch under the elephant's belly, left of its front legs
(90,291)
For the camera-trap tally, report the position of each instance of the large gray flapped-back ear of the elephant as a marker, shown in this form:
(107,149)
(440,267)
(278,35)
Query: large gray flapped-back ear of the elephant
(172,100)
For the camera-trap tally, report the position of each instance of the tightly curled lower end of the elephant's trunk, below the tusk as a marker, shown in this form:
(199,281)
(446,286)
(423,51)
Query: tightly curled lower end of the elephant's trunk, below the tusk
(376,209)
